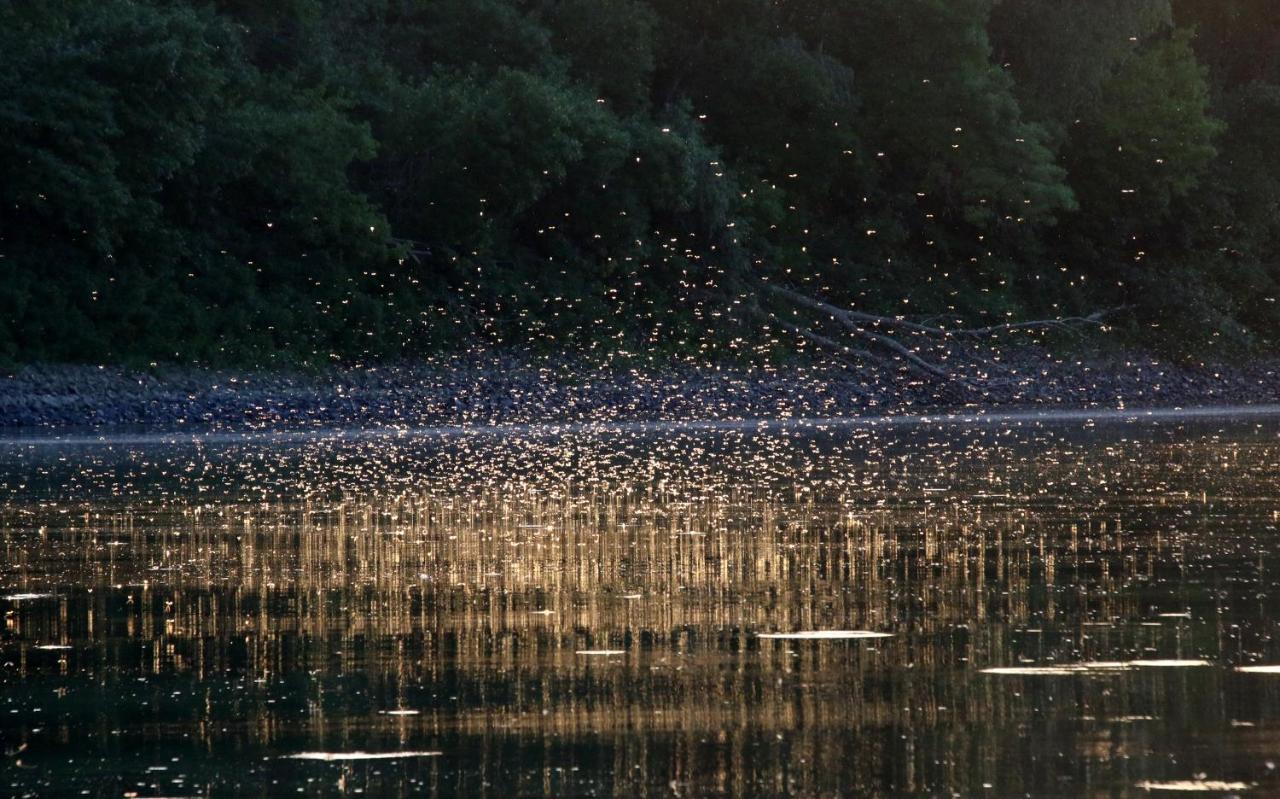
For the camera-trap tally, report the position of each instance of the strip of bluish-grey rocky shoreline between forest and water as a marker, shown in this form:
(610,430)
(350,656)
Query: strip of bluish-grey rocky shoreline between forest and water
(496,390)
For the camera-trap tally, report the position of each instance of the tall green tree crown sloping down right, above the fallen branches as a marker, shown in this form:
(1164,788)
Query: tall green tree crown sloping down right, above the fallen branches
(943,118)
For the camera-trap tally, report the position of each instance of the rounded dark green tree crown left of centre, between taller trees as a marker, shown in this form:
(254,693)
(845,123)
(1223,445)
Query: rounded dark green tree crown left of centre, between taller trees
(484,150)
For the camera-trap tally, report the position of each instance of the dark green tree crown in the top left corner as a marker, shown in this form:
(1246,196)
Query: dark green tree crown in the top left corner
(99,108)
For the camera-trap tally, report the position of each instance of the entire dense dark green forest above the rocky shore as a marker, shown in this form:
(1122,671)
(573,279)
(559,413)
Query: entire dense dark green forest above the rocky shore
(335,180)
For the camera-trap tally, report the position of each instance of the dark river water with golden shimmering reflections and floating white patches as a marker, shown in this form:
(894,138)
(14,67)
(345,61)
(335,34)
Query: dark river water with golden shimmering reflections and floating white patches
(1018,606)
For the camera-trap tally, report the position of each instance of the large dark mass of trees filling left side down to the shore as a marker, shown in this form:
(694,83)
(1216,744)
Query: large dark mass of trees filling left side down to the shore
(163,198)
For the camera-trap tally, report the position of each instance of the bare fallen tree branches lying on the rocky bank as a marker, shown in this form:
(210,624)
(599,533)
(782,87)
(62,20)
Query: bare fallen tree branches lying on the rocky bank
(884,332)
